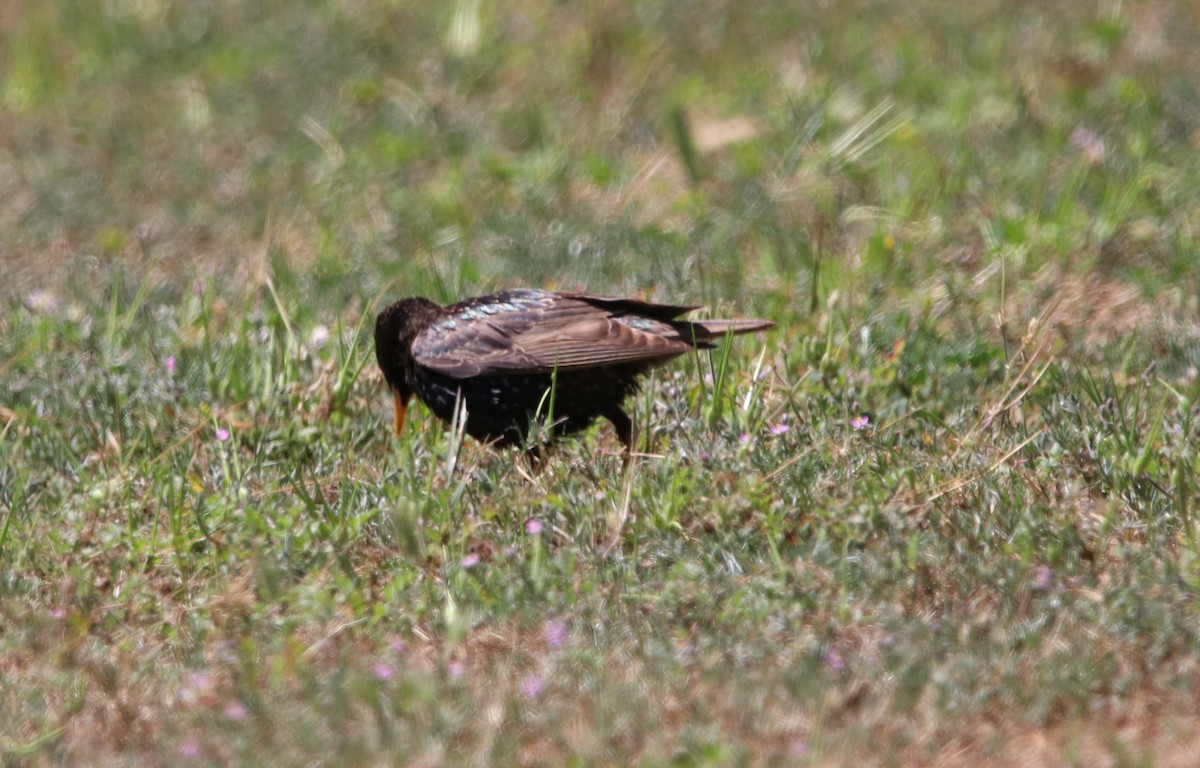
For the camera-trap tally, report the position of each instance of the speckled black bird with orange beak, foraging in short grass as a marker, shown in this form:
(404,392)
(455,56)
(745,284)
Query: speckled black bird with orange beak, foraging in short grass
(502,355)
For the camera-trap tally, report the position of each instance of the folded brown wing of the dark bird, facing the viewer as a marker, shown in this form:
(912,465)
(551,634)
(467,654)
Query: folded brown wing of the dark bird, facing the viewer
(539,333)
